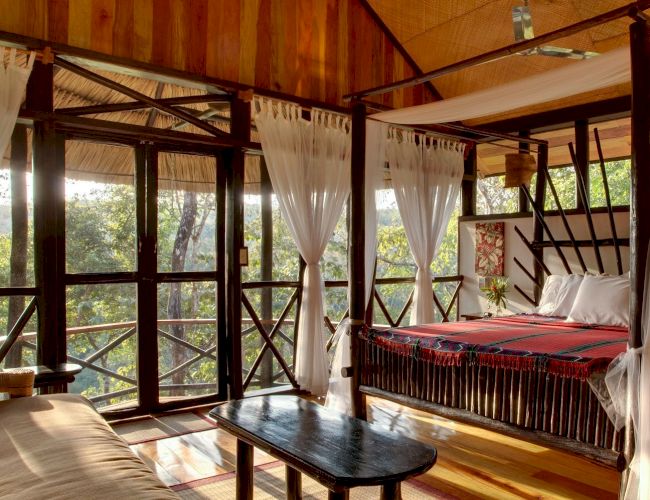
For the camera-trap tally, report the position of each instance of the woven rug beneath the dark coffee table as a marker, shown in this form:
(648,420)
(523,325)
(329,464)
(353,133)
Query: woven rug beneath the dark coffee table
(270,484)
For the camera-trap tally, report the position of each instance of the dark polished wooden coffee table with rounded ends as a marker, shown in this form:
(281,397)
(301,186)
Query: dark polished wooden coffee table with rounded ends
(338,451)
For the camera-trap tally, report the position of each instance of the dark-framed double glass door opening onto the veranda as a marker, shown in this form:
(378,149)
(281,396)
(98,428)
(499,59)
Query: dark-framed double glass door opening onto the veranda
(144,291)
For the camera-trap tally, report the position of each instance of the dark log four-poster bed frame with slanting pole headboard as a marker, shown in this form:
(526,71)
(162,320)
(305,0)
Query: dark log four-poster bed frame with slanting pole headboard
(410,393)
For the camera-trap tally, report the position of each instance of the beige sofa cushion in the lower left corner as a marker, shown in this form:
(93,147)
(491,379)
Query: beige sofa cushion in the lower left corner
(58,447)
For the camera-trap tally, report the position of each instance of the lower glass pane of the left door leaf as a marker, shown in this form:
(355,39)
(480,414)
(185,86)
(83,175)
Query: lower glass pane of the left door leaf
(102,337)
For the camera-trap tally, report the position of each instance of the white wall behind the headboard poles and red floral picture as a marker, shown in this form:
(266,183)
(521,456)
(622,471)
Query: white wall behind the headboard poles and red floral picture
(472,299)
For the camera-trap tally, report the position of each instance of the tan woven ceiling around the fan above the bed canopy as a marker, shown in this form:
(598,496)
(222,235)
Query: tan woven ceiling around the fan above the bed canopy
(438,33)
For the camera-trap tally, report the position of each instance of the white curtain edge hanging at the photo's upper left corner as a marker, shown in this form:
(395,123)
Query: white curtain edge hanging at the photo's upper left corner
(13,81)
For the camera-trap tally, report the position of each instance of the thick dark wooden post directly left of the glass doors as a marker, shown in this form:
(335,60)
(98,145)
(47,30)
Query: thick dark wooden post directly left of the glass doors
(48,156)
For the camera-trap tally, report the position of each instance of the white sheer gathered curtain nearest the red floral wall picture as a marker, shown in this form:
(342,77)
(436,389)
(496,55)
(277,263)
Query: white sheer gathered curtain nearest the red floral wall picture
(426,176)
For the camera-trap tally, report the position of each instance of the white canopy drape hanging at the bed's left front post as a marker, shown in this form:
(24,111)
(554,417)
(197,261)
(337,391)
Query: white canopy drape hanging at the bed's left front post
(339,393)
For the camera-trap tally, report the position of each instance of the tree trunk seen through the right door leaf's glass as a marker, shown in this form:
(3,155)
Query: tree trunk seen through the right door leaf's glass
(174,310)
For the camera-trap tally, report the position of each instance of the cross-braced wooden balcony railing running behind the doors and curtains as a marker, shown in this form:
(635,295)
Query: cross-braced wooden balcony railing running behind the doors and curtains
(277,336)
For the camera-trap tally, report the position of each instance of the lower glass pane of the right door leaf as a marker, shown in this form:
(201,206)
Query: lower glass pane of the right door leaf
(187,339)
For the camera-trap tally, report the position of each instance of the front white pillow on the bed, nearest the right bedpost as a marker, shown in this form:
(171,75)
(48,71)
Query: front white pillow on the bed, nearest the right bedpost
(602,300)
